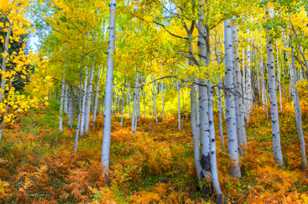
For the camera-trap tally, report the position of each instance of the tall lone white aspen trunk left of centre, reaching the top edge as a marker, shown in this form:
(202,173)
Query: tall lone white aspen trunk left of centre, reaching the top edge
(105,157)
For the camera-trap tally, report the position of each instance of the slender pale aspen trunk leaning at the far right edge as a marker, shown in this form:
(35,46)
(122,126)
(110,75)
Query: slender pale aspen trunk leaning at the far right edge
(298,112)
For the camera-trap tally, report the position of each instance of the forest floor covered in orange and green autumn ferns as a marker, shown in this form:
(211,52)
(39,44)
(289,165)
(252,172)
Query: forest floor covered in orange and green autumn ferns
(37,164)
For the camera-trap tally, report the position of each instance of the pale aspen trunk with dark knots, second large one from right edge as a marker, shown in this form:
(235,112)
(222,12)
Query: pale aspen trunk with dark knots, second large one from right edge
(273,101)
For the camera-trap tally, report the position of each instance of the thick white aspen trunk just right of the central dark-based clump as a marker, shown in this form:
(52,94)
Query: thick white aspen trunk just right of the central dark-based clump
(230,103)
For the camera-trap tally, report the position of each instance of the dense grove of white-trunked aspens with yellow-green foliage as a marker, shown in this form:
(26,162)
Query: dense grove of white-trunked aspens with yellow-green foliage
(206,63)
